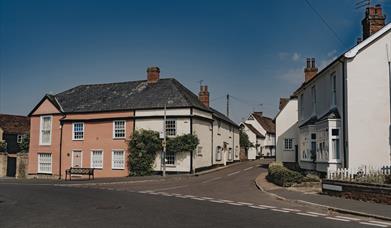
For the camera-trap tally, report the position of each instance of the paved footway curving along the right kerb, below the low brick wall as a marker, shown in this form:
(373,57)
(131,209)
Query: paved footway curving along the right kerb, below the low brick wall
(343,205)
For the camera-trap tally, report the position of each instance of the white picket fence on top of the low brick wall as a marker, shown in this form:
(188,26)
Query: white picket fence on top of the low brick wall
(364,174)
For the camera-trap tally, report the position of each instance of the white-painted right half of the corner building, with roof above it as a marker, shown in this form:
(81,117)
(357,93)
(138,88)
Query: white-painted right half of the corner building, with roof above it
(188,114)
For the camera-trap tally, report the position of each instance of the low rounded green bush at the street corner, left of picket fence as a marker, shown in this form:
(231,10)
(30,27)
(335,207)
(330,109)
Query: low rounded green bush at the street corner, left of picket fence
(282,176)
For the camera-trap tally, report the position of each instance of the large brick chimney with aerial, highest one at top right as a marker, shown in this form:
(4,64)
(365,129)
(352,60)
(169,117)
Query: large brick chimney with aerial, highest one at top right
(373,21)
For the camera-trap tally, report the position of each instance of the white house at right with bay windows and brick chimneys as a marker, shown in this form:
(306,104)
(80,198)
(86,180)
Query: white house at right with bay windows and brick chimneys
(344,110)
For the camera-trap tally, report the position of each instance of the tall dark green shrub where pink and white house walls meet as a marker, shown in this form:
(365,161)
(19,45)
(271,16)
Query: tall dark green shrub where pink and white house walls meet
(143,147)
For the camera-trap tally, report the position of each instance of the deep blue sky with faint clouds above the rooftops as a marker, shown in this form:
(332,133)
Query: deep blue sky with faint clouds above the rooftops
(254,50)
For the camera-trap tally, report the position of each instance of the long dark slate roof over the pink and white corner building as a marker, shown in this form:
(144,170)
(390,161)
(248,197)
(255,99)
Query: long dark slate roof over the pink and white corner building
(127,96)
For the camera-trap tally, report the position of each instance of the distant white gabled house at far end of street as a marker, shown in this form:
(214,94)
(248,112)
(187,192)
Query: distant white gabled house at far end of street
(261,131)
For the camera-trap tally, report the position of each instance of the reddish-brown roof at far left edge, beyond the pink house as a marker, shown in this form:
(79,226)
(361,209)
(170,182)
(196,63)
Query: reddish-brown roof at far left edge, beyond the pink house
(13,124)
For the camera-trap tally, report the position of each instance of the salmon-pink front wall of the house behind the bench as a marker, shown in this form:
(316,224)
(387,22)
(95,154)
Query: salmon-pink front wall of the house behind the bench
(98,134)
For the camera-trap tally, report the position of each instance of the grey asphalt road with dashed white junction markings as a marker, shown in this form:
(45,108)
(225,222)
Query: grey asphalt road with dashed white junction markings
(226,198)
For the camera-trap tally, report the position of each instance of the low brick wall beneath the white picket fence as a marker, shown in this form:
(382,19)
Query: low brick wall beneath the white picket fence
(358,191)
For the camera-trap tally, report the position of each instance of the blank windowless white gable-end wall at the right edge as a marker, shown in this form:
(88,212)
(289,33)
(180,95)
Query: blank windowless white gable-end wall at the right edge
(368,105)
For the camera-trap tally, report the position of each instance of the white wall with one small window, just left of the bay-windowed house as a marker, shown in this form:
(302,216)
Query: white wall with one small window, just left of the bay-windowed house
(286,128)
